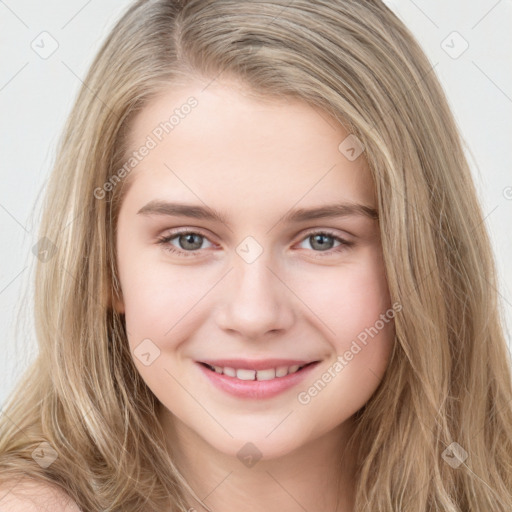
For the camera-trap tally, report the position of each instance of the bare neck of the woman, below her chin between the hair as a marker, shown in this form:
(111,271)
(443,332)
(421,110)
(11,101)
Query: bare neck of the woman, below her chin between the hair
(316,476)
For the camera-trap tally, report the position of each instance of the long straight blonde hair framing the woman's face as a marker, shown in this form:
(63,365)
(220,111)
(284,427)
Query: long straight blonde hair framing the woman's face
(447,393)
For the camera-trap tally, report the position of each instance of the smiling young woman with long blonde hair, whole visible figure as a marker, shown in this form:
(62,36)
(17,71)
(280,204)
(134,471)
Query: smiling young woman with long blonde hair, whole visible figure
(268,283)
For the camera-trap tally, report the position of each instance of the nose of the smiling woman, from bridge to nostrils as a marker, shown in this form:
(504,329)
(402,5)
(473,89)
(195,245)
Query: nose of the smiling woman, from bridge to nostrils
(256,301)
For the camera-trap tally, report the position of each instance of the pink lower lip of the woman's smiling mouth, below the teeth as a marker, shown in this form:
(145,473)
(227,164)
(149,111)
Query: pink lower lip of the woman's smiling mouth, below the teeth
(256,389)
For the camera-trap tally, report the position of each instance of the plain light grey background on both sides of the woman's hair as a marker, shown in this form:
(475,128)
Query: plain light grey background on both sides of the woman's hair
(36,95)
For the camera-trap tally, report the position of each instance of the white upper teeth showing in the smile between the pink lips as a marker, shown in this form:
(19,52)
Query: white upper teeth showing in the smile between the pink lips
(271,372)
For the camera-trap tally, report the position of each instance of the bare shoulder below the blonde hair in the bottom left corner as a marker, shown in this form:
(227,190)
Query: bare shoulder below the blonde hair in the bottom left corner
(29,495)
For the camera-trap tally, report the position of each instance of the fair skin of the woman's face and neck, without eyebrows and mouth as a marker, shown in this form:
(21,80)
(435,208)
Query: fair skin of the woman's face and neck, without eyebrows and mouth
(254,161)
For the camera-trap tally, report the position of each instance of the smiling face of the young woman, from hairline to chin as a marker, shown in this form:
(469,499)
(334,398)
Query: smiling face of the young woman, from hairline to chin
(227,259)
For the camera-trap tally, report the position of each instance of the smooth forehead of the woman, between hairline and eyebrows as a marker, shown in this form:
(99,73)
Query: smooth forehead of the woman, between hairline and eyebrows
(222,144)
